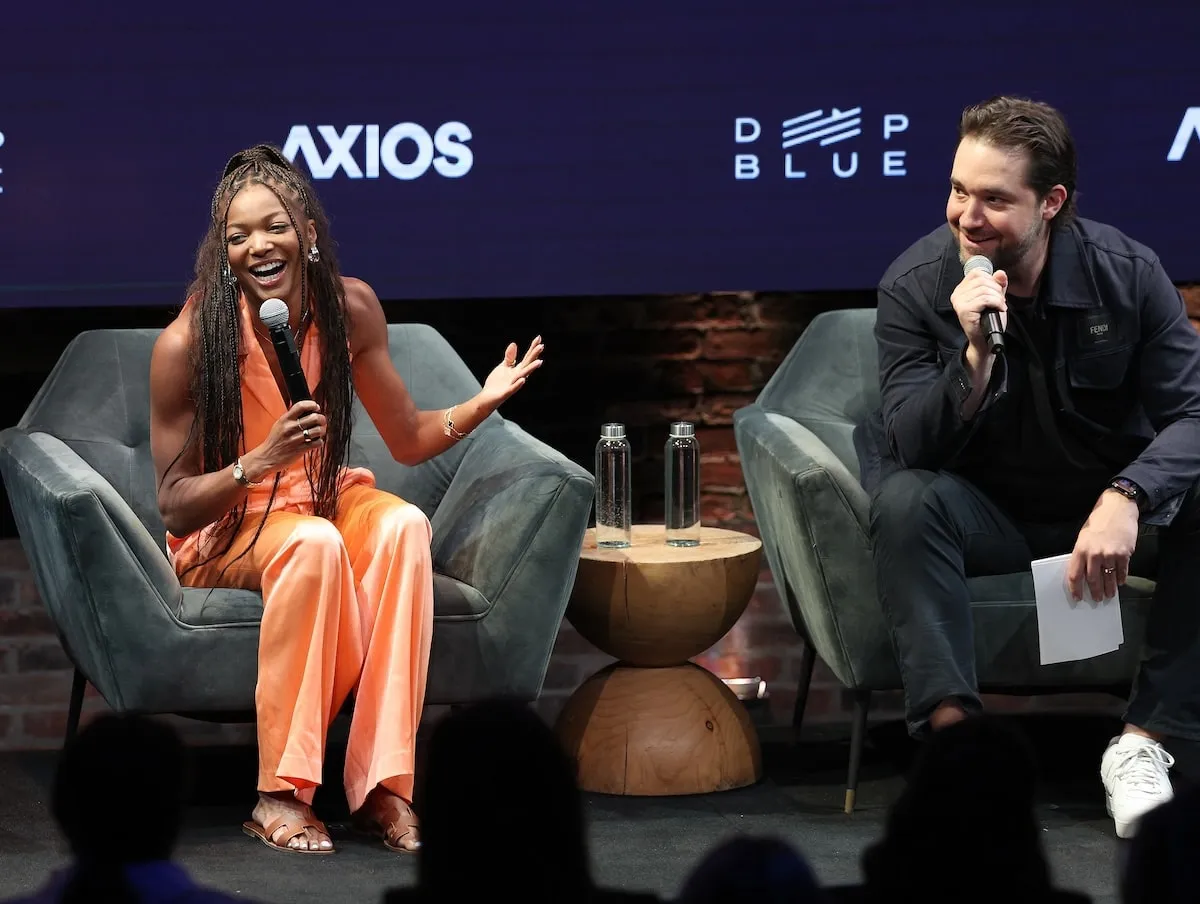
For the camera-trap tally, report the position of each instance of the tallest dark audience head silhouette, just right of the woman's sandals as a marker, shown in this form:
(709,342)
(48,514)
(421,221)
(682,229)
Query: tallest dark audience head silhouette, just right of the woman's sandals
(501,809)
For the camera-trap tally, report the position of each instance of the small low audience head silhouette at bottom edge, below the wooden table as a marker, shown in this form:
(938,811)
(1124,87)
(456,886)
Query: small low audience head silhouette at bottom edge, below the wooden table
(754,871)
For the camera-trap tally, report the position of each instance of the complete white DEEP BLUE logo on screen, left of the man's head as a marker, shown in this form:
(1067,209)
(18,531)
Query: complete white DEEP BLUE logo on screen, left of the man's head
(819,130)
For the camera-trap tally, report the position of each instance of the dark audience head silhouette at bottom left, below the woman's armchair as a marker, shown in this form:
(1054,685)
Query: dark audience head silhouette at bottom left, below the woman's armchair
(119,791)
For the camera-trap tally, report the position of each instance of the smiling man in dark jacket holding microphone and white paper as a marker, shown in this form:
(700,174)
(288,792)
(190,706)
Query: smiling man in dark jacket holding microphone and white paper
(1083,436)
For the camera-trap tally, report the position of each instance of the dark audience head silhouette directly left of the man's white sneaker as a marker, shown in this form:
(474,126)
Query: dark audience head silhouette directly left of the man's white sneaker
(969,806)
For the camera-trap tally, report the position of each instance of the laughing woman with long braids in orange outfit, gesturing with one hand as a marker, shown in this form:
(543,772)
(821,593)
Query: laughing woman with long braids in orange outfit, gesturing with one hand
(259,495)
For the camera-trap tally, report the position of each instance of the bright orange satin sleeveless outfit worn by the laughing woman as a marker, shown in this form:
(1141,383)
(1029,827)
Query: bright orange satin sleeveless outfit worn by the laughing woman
(347,608)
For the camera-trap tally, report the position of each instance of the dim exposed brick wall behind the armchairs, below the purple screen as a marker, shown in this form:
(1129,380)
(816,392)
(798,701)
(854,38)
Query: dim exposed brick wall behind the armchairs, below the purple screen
(643,362)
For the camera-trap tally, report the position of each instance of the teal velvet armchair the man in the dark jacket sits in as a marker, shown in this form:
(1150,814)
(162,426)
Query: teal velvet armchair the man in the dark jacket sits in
(797,444)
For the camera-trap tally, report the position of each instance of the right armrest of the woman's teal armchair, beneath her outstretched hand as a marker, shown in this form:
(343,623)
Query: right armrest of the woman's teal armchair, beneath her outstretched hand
(512,526)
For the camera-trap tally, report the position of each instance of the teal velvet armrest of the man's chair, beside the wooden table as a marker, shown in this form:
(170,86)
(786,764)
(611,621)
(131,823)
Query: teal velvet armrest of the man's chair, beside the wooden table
(814,518)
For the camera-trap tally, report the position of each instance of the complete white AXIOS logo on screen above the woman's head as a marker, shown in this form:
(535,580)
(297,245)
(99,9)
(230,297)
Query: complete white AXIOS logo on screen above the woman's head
(453,158)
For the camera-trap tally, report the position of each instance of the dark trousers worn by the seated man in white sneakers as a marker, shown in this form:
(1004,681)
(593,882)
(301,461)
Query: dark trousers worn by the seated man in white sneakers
(932,531)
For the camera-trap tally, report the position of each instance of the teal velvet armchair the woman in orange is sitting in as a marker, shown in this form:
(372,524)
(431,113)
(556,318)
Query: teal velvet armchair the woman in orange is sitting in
(508,516)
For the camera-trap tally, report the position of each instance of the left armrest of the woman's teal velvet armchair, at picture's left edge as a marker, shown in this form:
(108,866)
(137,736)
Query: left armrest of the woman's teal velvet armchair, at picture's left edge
(98,570)
